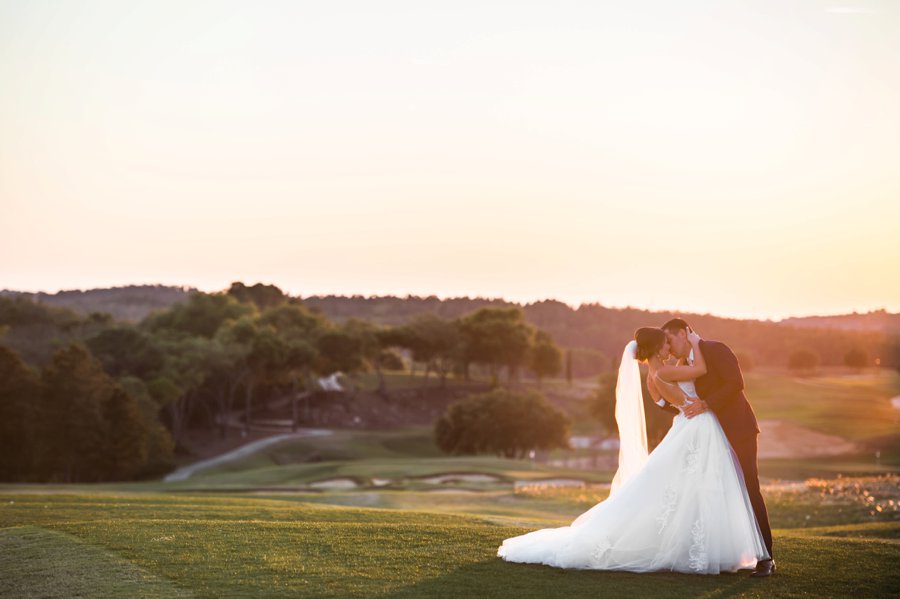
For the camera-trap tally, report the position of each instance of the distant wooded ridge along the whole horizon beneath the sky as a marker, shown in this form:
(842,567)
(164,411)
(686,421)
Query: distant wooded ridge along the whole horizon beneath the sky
(590,325)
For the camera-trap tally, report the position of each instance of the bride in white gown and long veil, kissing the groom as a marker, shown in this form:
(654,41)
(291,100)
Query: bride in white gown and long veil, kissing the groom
(684,507)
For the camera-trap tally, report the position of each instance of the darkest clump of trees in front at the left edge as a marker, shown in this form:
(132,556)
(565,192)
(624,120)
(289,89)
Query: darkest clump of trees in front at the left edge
(72,422)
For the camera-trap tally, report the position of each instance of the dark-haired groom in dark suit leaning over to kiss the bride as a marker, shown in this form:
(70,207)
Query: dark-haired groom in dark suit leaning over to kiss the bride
(721,390)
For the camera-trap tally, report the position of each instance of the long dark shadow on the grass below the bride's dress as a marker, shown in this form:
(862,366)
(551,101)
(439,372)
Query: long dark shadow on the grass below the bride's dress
(497,578)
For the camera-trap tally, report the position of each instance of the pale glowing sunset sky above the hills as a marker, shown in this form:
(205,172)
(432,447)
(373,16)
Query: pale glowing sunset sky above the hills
(739,158)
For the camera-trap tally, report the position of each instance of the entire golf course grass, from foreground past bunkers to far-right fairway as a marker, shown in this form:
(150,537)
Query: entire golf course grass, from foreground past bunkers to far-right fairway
(394,527)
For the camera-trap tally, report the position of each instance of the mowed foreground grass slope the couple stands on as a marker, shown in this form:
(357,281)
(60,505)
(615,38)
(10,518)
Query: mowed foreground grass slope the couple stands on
(164,545)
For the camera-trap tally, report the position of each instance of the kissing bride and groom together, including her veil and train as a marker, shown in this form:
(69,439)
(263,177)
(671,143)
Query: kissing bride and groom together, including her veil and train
(692,505)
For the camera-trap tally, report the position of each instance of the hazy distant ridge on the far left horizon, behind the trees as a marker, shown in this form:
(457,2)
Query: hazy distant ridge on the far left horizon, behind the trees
(131,303)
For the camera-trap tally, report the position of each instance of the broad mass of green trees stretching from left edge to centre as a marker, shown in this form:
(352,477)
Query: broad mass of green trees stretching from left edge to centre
(95,399)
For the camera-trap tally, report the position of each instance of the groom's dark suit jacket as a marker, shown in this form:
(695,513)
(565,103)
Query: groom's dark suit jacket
(722,388)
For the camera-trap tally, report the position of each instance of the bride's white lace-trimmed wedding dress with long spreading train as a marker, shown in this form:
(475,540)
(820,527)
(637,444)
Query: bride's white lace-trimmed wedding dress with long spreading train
(685,510)
